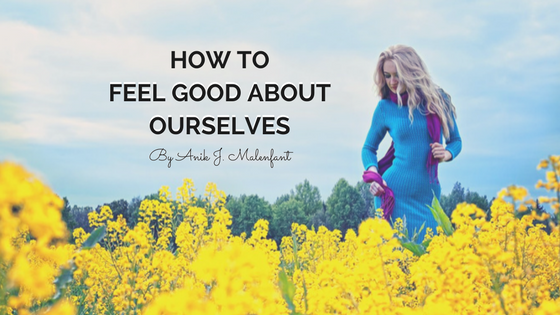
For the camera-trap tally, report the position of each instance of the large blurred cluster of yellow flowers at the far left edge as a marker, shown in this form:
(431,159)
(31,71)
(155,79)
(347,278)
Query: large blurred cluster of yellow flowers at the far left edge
(32,244)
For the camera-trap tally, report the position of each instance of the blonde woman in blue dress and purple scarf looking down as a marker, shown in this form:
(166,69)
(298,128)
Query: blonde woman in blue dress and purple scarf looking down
(417,114)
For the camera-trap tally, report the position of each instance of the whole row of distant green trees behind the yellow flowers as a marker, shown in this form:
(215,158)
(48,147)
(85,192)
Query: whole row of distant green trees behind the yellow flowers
(346,207)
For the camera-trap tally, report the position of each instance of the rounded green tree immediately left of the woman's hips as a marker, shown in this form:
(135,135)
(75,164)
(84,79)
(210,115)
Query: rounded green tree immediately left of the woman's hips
(345,207)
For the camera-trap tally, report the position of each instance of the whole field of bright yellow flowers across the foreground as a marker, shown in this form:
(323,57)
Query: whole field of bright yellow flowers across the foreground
(181,258)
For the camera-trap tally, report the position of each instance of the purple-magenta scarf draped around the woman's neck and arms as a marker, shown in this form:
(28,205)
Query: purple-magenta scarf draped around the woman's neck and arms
(388,198)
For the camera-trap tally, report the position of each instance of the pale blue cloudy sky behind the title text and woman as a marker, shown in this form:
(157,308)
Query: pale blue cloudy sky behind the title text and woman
(499,61)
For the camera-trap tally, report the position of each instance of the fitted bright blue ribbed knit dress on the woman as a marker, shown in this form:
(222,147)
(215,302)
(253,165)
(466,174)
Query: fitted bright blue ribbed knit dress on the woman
(408,176)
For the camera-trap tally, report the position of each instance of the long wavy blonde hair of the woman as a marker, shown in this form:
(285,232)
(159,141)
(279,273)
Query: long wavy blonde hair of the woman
(413,76)
